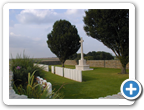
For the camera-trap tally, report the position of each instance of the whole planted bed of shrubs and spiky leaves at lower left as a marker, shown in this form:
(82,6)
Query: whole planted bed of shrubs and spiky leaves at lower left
(25,83)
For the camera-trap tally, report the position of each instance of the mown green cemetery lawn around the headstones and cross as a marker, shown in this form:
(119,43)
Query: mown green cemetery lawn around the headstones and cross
(96,83)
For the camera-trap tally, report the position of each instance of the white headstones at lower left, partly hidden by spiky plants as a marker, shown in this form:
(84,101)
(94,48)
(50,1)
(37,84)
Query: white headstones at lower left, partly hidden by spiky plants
(45,84)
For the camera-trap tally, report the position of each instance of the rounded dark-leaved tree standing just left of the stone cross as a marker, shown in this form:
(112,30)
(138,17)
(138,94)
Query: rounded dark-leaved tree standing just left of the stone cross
(63,40)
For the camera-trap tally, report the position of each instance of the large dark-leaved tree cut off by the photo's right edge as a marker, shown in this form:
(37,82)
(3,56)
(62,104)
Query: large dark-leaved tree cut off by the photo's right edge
(111,27)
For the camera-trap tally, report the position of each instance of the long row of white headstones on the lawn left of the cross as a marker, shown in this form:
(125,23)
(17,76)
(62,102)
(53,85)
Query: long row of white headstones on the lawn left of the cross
(68,73)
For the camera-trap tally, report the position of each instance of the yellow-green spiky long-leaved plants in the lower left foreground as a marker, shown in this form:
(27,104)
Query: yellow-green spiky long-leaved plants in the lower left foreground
(34,90)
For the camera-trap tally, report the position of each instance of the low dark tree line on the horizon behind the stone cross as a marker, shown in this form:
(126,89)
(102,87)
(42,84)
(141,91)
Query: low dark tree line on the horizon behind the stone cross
(92,56)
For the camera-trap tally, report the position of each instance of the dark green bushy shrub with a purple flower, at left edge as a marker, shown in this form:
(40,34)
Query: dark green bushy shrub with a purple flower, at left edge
(21,66)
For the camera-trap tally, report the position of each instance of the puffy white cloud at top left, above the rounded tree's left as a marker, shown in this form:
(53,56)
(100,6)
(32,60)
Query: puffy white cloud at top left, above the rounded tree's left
(37,16)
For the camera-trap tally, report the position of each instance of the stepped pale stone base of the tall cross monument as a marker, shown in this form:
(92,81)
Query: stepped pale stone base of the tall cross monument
(82,66)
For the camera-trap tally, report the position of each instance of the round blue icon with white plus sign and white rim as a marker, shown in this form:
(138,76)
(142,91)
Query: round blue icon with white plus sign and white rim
(130,89)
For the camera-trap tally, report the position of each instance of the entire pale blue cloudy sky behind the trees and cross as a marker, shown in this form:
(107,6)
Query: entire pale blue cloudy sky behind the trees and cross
(28,29)
